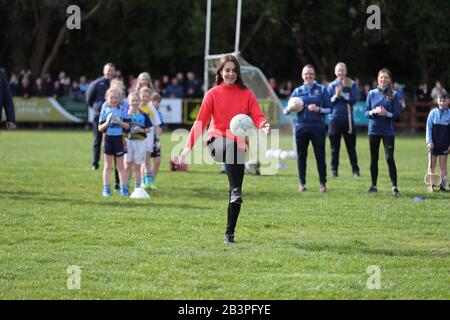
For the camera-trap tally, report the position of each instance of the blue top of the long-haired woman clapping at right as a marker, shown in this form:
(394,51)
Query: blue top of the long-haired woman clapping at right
(382,125)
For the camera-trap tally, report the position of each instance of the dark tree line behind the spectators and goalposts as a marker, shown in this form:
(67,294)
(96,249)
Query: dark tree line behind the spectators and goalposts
(279,36)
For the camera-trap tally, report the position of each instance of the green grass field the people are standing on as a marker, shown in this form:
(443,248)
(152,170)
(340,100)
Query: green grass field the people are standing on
(290,245)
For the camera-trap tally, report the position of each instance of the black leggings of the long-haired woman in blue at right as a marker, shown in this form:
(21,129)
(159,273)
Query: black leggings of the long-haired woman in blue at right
(389,146)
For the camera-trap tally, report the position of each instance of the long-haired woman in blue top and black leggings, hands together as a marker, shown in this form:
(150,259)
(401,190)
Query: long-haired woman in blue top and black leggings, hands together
(382,107)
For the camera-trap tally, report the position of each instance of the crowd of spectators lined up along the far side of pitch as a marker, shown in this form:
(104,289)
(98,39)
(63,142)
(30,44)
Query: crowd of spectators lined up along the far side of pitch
(180,85)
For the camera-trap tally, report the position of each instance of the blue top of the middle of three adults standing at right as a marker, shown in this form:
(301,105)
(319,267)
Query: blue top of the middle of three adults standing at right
(339,110)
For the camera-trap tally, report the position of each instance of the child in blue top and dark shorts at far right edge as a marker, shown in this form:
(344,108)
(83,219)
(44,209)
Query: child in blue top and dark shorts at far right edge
(438,136)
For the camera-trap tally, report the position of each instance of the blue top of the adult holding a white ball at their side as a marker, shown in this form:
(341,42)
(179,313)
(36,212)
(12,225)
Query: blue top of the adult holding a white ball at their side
(318,95)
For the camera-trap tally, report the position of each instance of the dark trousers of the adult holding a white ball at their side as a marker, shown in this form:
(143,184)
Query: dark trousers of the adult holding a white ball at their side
(317,136)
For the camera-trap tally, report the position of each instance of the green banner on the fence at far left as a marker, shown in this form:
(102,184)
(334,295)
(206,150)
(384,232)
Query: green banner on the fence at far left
(42,110)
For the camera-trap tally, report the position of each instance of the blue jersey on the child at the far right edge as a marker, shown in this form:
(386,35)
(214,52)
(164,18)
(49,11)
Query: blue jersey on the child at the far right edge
(438,128)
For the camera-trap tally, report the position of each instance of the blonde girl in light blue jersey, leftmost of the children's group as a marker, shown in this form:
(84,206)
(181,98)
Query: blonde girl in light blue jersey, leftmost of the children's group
(112,122)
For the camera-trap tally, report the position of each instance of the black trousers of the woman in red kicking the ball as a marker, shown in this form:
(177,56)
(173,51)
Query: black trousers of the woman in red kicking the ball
(224,150)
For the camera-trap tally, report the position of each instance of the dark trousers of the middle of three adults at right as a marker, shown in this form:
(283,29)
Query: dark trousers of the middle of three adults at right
(337,129)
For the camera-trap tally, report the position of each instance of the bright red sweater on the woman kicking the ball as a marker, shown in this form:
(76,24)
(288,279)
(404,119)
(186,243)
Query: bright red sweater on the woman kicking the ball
(222,103)
